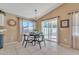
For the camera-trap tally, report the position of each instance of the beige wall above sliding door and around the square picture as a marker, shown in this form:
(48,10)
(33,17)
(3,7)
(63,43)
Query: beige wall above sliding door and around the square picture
(61,11)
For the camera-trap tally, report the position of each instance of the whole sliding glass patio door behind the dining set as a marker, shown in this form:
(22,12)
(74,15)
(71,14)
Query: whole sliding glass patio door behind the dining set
(49,29)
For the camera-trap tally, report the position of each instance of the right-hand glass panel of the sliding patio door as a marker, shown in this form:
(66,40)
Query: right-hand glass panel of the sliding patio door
(53,29)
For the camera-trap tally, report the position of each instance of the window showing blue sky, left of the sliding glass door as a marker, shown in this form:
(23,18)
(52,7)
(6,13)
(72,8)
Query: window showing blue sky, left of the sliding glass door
(28,26)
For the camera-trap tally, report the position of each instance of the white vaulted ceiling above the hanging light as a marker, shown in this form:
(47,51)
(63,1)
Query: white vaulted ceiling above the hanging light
(27,9)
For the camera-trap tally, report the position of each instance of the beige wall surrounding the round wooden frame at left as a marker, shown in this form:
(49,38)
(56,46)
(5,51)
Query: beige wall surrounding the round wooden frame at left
(11,33)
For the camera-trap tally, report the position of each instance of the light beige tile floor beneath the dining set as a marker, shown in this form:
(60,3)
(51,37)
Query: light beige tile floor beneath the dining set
(50,49)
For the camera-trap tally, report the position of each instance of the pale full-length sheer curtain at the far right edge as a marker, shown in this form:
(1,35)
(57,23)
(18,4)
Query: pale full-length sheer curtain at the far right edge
(75,30)
